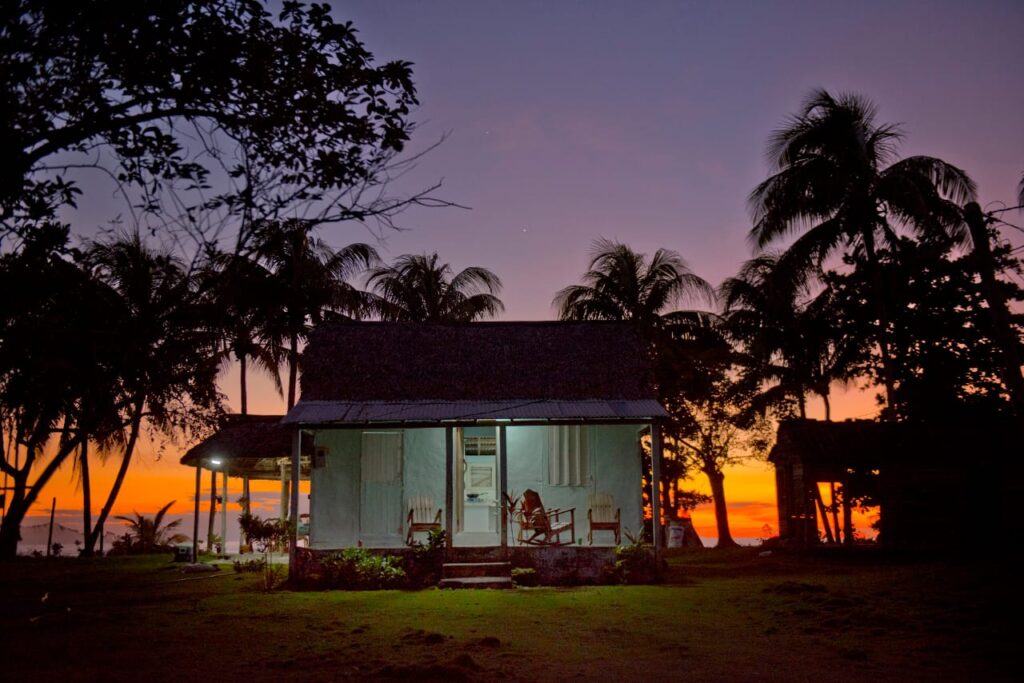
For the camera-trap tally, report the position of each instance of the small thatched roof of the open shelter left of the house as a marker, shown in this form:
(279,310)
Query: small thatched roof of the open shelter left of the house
(247,446)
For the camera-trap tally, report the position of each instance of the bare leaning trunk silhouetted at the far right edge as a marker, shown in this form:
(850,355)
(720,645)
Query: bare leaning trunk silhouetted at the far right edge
(1002,329)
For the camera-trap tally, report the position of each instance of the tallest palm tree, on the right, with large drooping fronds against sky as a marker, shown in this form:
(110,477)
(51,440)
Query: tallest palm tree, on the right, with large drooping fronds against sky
(839,183)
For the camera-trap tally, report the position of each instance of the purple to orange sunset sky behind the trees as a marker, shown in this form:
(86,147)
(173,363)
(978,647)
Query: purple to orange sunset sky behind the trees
(647,123)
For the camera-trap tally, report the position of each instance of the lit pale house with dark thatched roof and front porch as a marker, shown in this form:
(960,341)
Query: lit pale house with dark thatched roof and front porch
(463,415)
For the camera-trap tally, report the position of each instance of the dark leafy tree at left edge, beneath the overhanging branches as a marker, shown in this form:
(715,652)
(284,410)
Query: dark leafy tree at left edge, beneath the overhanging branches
(58,368)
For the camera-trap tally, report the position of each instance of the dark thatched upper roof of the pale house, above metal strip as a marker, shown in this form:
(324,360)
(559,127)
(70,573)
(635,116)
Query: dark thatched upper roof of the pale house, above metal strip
(405,362)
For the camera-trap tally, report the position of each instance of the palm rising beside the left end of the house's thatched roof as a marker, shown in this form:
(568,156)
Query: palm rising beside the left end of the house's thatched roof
(312,279)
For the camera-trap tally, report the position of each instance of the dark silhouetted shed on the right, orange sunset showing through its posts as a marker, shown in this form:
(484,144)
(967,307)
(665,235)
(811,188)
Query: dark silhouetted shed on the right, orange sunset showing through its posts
(933,485)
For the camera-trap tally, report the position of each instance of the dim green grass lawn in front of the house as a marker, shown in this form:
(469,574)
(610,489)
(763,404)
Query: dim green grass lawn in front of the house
(720,616)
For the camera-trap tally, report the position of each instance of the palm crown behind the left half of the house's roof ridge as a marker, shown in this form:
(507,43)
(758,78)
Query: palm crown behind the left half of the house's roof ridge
(420,288)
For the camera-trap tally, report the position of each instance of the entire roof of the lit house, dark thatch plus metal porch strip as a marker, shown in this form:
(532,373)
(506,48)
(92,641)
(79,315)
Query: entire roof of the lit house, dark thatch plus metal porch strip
(432,372)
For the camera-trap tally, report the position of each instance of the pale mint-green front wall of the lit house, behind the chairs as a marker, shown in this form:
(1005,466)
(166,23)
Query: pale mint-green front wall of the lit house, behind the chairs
(335,504)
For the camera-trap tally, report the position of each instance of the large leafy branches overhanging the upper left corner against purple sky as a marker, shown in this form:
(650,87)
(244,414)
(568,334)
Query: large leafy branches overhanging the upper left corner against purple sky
(176,95)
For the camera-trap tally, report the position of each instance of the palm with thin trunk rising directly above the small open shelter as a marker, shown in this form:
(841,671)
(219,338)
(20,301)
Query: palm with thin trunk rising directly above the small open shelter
(247,306)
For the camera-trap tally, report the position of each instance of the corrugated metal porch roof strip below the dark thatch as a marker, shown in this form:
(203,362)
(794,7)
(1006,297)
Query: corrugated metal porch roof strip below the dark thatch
(343,412)
